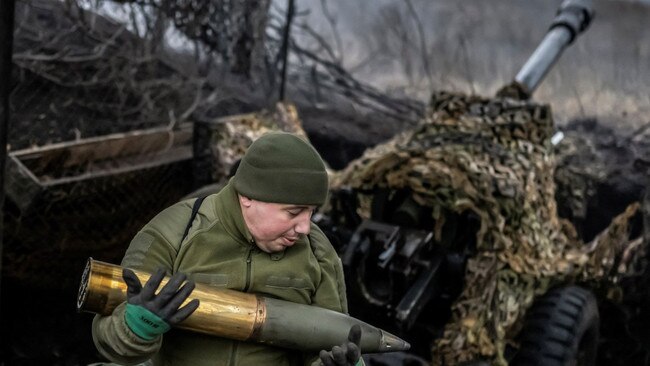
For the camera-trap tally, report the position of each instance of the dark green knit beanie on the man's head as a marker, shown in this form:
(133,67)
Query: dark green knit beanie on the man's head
(281,167)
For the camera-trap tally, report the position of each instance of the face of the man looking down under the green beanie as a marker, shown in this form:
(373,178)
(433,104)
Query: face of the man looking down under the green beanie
(275,226)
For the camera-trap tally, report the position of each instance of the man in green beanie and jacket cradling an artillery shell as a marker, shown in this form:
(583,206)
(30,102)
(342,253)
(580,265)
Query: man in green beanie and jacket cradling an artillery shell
(255,236)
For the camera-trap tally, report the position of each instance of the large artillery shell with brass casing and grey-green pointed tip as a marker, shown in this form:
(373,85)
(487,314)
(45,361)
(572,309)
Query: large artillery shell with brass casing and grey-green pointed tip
(241,316)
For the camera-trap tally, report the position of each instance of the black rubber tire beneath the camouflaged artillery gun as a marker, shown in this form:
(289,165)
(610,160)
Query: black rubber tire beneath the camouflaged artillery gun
(561,329)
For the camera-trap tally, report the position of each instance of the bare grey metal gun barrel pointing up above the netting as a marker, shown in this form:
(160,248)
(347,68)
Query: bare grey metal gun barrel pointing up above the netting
(573,17)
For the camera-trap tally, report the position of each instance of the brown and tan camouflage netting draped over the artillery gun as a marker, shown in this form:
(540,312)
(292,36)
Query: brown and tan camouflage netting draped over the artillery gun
(494,159)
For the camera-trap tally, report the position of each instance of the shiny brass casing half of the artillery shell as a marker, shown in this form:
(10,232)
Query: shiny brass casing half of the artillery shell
(222,312)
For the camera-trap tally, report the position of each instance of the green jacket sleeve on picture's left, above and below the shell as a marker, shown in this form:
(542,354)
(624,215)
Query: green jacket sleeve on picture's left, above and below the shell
(155,246)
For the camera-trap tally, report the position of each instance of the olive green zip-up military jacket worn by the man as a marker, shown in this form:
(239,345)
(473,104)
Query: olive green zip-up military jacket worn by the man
(220,251)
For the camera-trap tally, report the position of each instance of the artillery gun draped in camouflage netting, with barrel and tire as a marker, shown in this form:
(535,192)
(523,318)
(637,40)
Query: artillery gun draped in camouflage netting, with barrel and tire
(449,233)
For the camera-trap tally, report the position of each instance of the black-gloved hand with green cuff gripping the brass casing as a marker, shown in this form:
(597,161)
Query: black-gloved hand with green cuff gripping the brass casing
(149,314)
